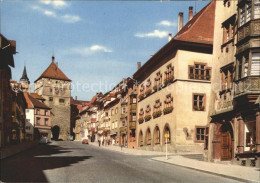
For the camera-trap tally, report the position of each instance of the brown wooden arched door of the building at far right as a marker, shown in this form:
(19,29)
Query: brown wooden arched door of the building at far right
(226,146)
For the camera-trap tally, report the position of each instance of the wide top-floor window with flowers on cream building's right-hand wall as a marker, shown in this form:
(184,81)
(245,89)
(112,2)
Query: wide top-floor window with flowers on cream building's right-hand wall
(199,71)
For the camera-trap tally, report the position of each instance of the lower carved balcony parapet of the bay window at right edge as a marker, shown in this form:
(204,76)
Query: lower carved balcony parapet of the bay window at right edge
(247,85)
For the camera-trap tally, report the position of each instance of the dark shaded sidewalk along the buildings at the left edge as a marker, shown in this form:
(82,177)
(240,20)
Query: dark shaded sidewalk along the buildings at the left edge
(15,149)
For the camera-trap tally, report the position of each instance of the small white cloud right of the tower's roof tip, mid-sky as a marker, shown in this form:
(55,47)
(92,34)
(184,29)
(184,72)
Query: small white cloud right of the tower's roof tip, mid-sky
(91,50)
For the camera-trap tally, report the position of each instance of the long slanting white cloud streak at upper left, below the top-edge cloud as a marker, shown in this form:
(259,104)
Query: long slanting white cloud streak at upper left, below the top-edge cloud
(67,18)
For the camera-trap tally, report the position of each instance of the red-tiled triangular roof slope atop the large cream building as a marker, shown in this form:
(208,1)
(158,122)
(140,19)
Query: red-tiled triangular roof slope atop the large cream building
(201,27)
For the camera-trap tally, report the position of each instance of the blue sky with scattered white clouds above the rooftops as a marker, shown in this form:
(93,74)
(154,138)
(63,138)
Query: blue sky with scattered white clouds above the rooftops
(96,43)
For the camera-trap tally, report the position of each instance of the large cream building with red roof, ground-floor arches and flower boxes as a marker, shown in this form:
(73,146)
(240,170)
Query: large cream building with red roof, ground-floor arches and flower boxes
(174,88)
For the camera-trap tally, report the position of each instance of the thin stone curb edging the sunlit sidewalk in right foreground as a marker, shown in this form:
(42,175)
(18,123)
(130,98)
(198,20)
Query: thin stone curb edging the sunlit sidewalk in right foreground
(205,171)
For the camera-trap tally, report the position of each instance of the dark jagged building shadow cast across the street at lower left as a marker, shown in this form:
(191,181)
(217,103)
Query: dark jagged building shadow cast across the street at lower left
(28,166)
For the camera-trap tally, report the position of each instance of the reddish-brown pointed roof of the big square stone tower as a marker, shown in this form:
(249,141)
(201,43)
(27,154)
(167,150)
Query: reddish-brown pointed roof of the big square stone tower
(53,72)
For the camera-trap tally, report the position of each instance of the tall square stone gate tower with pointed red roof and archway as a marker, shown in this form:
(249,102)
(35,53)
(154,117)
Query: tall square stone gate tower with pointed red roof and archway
(55,87)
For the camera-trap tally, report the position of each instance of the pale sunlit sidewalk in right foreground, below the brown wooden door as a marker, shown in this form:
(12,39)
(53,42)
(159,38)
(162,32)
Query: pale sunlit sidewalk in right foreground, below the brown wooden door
(248,174)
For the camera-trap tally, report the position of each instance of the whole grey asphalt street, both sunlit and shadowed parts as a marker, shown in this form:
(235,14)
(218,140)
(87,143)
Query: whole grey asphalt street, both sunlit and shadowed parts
(74,162)
